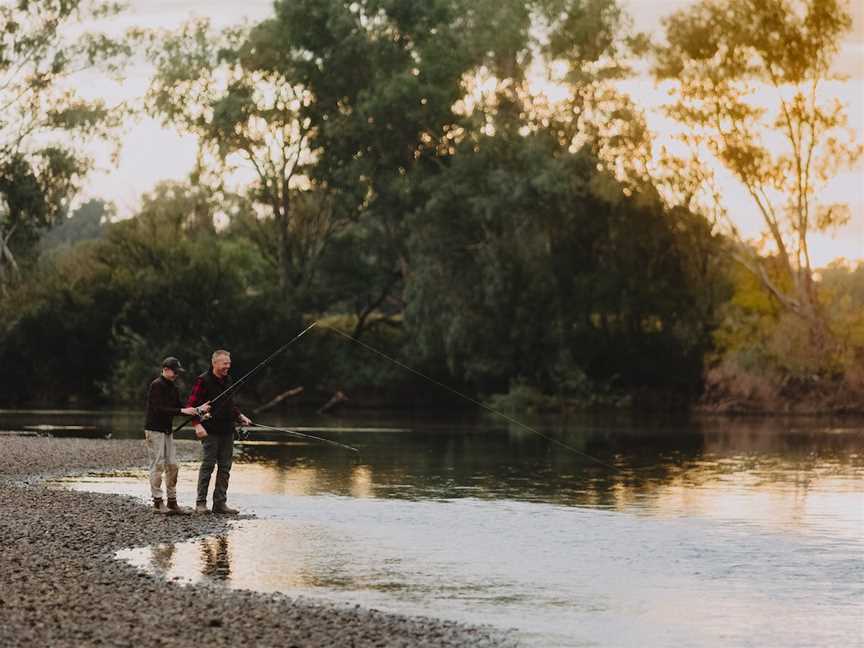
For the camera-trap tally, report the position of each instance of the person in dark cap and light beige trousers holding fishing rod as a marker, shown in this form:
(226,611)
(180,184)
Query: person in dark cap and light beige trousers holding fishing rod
(163,404)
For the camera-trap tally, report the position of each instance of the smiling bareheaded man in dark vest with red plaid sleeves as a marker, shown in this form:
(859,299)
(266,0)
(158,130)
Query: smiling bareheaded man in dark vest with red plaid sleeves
(216,432)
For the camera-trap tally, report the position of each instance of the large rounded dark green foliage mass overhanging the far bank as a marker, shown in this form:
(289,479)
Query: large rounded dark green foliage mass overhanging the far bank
(526,267)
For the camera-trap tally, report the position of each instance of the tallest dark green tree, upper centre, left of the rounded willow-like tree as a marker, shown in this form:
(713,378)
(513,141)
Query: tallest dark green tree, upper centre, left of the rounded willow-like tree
(383,77)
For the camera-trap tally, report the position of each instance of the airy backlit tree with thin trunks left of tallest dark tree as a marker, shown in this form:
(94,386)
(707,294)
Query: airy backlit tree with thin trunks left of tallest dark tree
(246,117)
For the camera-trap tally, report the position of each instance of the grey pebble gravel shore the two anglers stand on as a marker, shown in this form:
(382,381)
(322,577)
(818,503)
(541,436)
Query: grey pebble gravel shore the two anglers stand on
(61,586)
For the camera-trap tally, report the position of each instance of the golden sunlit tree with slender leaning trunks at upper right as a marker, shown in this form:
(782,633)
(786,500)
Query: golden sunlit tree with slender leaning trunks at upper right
(747,77)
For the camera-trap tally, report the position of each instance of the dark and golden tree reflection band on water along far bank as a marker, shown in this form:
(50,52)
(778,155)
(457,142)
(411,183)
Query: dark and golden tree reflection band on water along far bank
(512,463)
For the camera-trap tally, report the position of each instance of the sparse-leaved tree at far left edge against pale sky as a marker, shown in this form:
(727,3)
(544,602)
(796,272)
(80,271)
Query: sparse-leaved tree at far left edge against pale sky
(45,123)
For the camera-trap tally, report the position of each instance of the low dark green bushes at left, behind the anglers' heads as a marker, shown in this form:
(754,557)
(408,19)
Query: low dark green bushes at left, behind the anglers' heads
(152,286)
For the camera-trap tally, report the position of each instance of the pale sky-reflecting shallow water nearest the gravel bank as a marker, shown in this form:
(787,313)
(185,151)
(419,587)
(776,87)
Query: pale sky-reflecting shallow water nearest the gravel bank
(561,574)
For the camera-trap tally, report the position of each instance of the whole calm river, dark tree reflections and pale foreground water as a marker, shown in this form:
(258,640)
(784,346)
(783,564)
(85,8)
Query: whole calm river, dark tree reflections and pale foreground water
(711,532)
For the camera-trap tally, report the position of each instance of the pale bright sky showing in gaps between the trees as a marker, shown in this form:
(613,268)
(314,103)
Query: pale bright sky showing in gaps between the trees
(152,153)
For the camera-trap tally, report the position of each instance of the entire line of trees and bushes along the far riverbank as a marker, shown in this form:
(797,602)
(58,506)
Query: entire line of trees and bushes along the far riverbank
(409,181)
